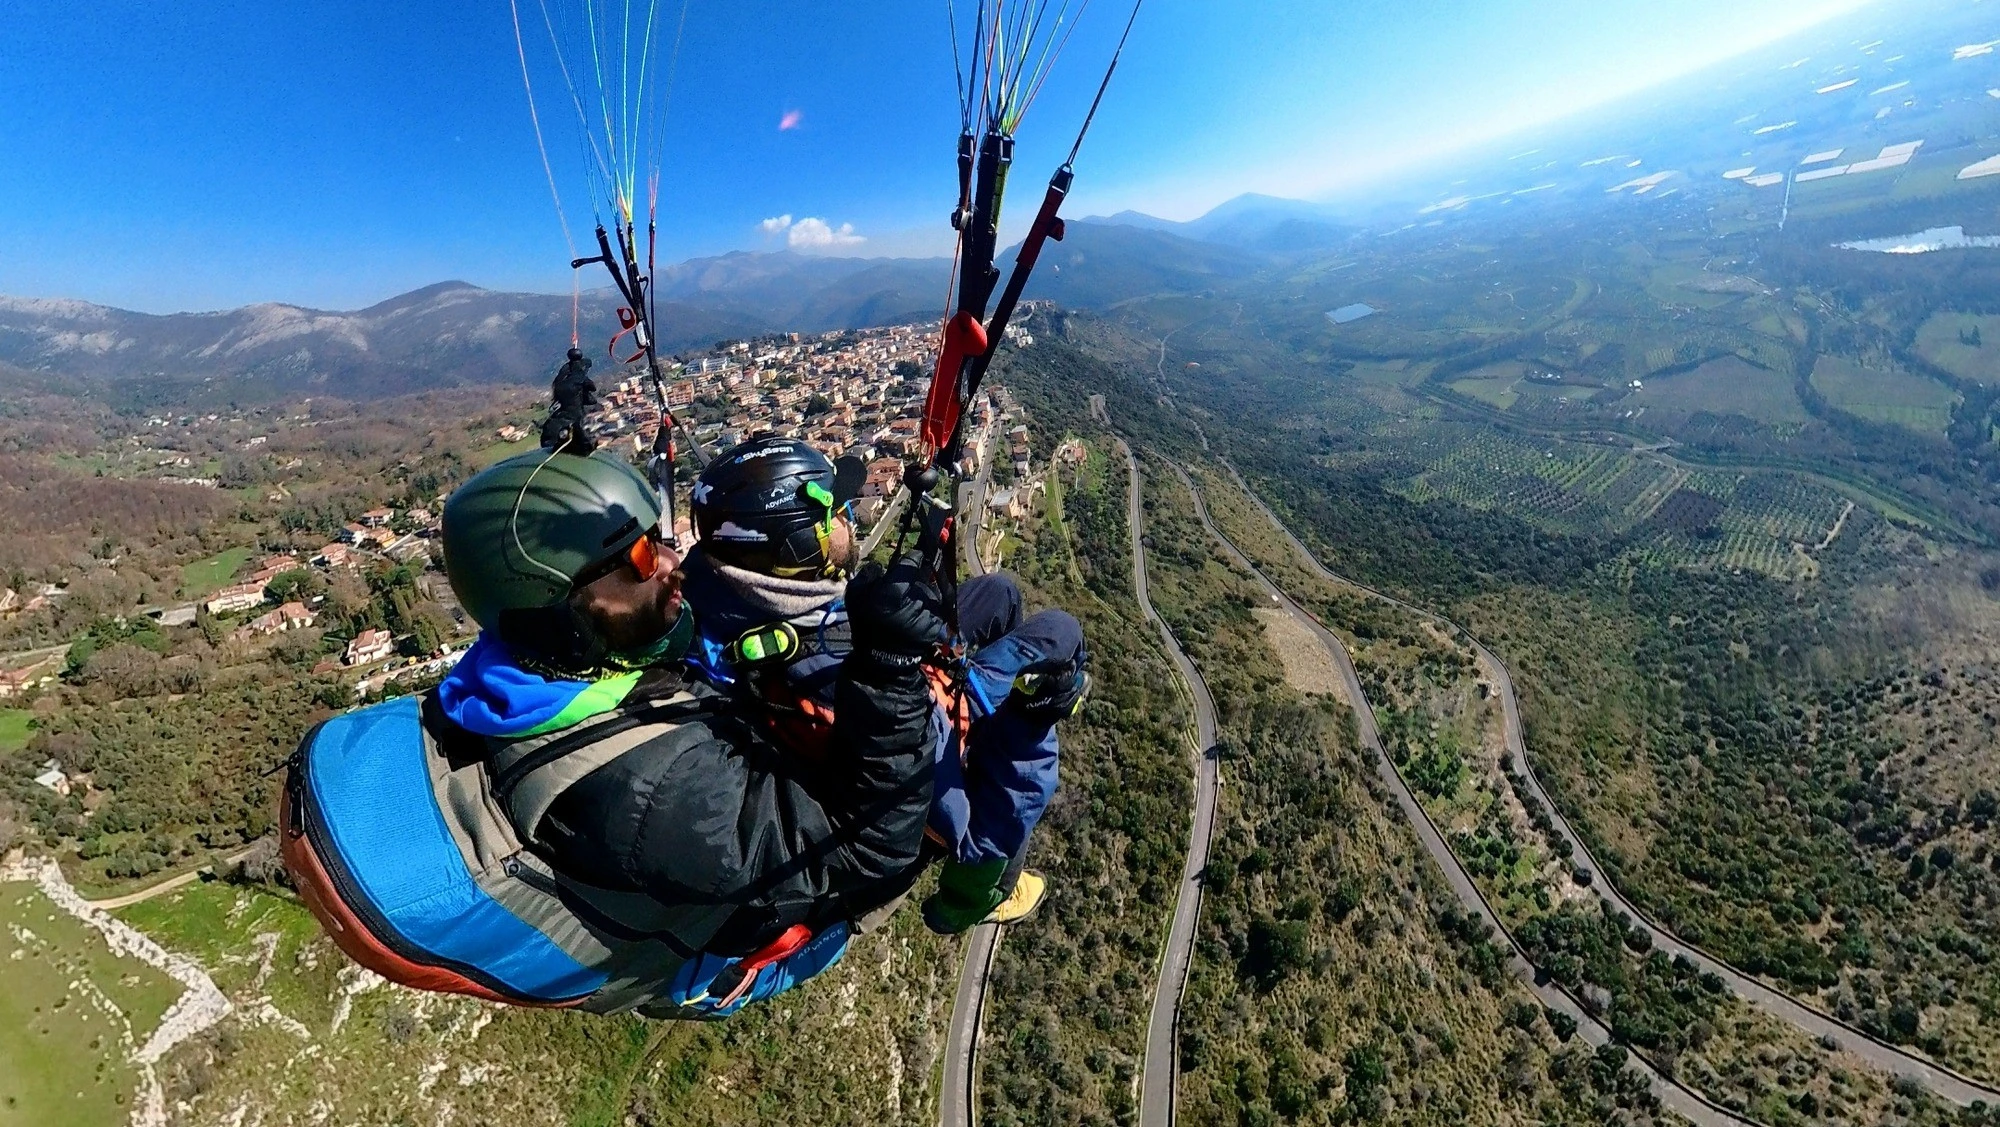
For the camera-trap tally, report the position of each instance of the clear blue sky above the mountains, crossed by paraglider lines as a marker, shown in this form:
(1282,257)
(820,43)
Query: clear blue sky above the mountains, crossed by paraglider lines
(333,153)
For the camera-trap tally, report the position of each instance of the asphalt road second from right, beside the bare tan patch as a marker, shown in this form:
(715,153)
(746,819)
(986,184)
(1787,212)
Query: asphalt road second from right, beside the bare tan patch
(1673,1096)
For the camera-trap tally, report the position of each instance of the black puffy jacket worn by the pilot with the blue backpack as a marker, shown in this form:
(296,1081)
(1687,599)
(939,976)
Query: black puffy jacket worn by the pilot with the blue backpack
(711,812)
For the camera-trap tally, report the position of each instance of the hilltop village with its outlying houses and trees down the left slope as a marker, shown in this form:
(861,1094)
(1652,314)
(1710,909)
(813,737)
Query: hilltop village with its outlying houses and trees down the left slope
(847,393)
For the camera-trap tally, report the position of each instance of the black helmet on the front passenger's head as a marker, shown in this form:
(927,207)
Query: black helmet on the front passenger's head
(769,507)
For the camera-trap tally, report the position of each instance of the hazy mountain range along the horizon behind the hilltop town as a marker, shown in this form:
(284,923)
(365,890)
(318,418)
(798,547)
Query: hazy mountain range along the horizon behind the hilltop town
(459,335)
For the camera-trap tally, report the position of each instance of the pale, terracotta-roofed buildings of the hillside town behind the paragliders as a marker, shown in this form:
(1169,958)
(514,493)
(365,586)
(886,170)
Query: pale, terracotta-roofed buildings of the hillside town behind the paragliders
(849,393)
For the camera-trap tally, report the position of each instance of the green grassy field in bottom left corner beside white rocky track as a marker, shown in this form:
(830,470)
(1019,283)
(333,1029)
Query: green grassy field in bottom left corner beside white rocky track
(65,1054)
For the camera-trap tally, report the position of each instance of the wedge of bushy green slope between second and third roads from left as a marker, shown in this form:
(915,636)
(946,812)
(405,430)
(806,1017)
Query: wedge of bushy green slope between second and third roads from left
(1335,978)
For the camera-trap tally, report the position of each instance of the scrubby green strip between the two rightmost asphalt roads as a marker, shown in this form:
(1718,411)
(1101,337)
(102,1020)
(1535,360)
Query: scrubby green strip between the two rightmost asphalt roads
(1443,726)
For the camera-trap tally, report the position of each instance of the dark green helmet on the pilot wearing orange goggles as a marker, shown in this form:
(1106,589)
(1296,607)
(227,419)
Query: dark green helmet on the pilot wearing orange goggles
(523,531)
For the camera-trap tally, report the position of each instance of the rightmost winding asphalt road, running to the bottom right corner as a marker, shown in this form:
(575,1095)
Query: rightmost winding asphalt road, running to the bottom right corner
(1943,1082)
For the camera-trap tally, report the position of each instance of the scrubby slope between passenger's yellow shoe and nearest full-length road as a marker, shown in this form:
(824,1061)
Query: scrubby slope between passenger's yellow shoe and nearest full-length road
(1071,992)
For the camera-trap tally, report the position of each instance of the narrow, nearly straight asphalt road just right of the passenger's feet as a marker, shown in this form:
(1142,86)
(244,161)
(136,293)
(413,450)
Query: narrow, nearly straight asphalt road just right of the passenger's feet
(1163,1056)
